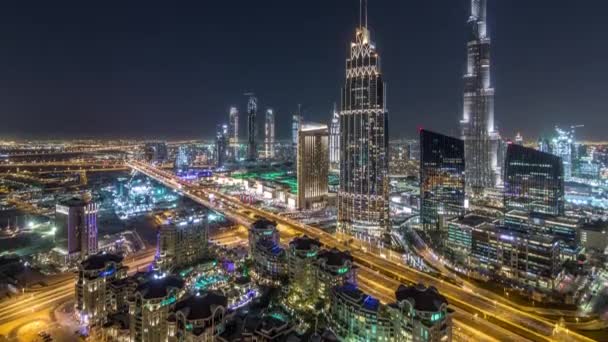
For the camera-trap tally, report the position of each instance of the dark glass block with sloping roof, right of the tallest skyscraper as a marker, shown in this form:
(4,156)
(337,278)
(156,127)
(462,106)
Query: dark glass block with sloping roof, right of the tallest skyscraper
(534,181)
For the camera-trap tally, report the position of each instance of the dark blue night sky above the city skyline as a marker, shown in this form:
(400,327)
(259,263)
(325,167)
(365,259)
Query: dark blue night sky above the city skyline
(170,69)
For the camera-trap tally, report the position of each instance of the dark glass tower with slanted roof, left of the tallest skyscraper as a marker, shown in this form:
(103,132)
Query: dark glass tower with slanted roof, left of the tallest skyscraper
(442,179)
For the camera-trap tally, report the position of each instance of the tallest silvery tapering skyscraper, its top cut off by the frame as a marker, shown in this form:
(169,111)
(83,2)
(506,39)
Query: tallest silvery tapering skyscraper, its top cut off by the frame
(478,130)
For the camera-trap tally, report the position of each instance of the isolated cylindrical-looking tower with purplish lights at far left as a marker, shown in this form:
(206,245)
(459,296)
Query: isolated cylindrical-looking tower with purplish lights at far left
(76,222)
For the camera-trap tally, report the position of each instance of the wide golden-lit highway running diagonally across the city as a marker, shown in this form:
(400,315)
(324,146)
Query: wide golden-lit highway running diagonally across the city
(463,299)
